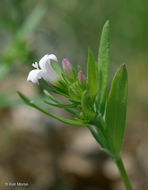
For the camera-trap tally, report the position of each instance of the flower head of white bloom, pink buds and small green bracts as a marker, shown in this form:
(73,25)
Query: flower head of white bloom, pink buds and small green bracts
(66,82)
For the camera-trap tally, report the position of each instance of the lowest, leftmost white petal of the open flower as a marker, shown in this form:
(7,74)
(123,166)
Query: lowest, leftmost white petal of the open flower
(34,76)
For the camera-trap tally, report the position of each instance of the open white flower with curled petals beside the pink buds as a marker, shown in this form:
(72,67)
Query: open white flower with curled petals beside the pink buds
(45,71)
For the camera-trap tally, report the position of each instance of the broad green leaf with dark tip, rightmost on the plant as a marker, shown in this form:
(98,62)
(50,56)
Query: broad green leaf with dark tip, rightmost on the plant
(116,110)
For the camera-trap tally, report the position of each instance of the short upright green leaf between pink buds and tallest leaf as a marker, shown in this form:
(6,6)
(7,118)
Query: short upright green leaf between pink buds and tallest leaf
(91,73)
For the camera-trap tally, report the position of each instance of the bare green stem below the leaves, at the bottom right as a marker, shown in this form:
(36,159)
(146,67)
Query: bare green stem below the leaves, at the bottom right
(123,173)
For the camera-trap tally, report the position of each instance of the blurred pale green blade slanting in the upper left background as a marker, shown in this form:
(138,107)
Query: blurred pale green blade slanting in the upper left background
(32,21)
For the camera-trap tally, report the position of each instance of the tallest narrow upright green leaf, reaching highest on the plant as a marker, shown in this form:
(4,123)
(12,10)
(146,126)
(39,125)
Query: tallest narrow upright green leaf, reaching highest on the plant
(103,67)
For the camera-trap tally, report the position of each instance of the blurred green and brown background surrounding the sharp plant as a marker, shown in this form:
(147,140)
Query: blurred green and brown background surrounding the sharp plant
(40,151)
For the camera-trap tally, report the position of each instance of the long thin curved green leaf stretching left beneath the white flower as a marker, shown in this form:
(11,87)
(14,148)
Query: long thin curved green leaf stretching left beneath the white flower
(64,120)
